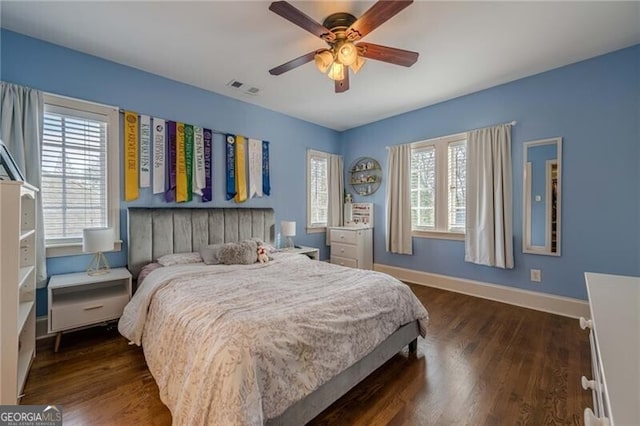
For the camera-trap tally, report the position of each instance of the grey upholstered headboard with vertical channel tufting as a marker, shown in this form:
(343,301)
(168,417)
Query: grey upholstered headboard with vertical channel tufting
(153,232)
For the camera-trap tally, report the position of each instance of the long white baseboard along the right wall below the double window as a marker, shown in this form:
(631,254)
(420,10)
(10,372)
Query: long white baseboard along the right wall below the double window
(565,306)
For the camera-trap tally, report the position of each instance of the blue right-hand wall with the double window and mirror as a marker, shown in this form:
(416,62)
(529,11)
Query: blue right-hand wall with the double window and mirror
(594,105)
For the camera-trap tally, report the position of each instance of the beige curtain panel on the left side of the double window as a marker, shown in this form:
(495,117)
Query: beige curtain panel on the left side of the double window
(398,232)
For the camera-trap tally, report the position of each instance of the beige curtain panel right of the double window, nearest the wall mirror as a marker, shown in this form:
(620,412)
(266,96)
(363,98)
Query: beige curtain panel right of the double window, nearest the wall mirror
(489,222)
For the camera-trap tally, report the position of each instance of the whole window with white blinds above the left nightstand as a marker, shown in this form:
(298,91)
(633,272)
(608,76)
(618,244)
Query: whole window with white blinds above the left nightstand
(80,171)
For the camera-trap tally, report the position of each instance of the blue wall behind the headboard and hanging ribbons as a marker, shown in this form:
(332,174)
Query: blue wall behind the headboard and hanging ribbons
(54,69)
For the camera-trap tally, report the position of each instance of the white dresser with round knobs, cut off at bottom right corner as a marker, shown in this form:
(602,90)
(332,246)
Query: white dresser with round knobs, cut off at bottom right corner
(614,303)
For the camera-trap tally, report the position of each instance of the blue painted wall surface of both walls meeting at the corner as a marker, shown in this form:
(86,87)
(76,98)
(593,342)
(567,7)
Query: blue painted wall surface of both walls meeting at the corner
(593,105)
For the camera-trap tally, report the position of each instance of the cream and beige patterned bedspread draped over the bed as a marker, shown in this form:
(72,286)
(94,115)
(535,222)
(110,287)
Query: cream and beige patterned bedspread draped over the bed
(239,344)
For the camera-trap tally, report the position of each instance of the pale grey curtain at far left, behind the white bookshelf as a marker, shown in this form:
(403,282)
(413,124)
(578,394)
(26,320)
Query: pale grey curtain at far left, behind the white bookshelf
(21,122)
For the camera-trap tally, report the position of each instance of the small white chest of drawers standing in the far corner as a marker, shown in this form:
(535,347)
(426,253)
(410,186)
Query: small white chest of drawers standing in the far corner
(352,247)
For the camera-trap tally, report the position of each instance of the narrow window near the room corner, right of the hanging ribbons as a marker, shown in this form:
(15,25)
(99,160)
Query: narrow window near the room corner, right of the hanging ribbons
(317,188)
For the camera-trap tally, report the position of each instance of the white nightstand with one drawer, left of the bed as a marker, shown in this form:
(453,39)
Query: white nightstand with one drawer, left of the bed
(79,300)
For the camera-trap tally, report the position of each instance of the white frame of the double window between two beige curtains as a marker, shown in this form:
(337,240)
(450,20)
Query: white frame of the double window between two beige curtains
(441,228)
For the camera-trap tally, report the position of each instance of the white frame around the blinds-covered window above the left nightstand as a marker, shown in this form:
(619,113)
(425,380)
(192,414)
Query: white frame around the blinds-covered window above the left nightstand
(73,246)
